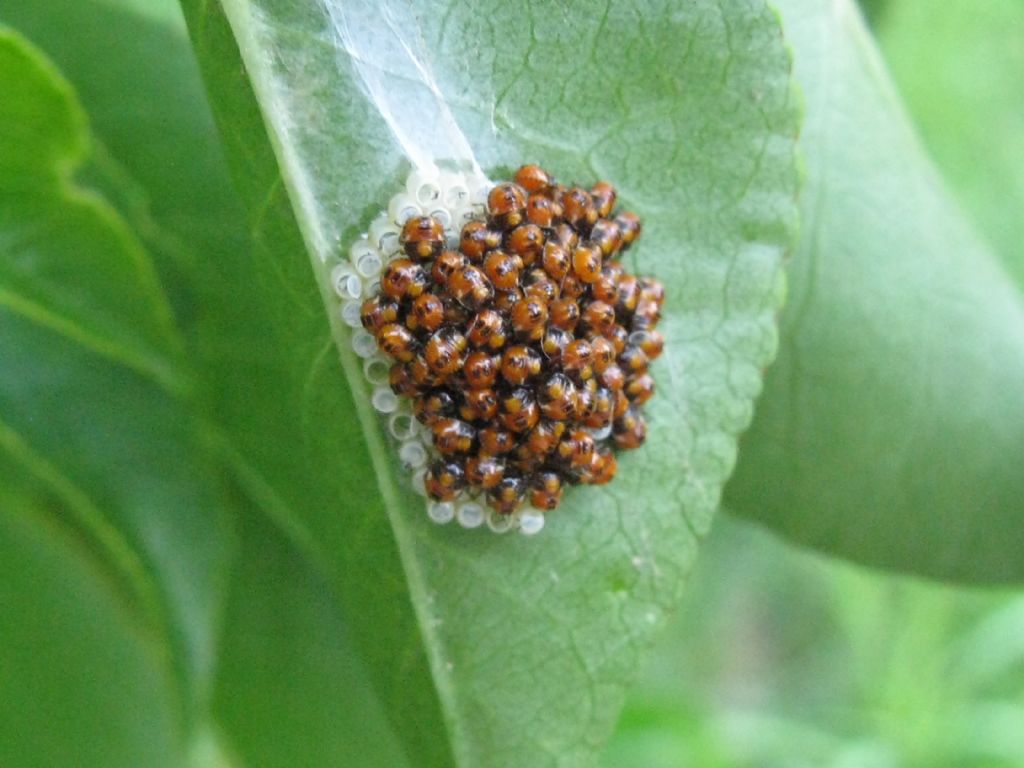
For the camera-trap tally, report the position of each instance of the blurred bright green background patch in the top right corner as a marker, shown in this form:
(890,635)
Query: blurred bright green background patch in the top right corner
(958,66)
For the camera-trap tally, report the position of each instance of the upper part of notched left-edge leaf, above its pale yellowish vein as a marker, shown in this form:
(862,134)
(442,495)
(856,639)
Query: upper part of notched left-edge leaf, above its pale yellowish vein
(44,141)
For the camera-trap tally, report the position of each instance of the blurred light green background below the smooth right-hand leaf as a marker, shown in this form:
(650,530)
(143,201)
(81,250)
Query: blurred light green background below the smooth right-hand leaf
(781,658)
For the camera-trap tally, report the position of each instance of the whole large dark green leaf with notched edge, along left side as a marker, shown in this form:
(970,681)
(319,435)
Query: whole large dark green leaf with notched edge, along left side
(97,446)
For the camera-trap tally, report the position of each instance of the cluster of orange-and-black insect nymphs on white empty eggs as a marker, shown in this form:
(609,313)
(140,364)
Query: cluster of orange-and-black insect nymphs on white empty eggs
(506,343)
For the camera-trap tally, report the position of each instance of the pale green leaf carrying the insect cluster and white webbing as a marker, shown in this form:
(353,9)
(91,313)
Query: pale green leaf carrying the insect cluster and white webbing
(494,684)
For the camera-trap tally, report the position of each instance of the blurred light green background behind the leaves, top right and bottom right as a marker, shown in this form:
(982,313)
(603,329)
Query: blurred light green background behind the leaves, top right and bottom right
(784,659)
